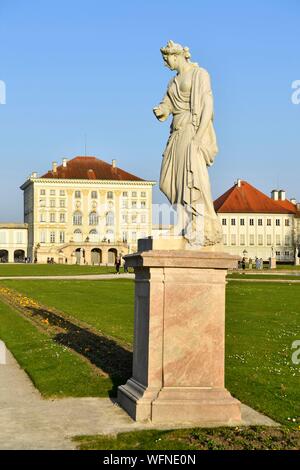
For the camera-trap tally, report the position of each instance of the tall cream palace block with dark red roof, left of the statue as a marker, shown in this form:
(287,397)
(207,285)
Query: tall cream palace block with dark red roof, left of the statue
(85,211)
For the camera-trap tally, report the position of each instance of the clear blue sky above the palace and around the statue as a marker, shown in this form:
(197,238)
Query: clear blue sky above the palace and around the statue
(75,67)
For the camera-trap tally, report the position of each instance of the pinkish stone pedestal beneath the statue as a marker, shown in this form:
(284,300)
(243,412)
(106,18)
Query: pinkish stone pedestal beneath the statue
(178,359)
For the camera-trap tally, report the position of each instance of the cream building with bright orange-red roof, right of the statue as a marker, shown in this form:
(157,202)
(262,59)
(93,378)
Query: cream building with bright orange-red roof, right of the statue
(255,225)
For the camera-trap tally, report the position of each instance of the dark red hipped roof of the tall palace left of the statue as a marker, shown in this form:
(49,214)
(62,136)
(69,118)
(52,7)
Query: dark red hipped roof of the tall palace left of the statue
(90,168)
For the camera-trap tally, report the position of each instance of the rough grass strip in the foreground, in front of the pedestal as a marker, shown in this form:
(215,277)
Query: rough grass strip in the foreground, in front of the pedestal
(250,438)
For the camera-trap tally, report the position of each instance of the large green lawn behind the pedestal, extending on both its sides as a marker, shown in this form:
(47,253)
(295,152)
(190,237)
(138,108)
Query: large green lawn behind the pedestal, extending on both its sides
(262,322)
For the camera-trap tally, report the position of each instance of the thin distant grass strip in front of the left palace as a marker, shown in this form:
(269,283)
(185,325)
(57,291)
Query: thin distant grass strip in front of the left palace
(52,270)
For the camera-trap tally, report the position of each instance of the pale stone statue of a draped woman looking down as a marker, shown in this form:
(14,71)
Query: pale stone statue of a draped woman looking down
(191,147)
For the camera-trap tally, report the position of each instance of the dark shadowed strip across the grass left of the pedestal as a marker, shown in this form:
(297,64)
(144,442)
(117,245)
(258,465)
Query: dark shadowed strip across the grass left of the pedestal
(104,353)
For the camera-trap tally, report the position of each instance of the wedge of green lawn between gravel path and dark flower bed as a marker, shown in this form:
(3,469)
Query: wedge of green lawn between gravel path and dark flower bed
(53,368)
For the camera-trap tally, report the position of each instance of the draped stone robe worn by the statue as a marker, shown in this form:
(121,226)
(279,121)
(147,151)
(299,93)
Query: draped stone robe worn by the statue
(184,177)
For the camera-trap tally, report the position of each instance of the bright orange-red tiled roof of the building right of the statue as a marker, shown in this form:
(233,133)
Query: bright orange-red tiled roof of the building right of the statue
(246,198)
